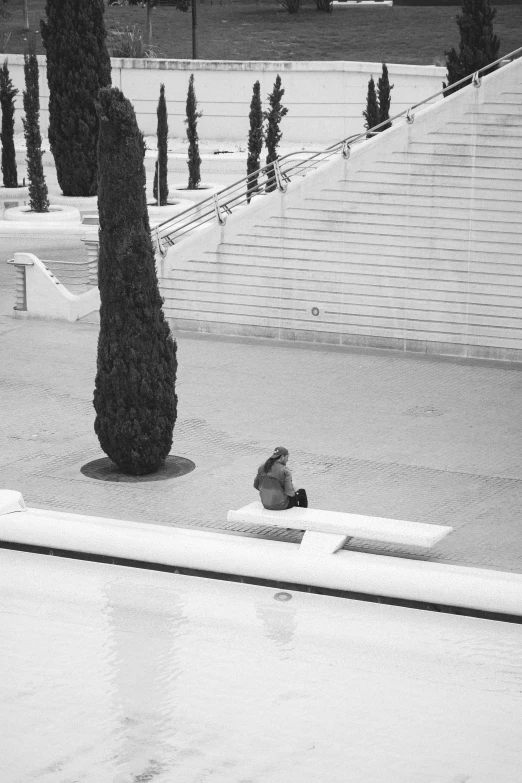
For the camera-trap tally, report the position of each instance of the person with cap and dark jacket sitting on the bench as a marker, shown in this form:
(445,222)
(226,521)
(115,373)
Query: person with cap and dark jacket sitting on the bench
(274,483)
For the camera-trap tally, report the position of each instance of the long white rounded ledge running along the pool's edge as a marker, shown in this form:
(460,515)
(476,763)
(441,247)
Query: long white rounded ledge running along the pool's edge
(393,577)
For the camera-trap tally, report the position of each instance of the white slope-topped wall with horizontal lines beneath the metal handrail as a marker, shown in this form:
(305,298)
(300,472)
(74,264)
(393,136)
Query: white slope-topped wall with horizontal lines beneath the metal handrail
(414,243)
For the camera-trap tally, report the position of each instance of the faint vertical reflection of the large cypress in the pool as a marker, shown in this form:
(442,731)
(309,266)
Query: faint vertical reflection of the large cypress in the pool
(147,626)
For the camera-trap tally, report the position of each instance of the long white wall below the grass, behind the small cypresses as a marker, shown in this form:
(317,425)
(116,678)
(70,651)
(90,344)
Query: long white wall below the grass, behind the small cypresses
(325,99)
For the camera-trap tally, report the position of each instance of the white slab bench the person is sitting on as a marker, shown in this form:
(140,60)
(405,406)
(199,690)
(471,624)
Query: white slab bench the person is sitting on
(327,531)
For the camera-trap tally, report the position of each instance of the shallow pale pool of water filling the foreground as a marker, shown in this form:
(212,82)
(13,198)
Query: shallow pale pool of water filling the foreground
(121,675)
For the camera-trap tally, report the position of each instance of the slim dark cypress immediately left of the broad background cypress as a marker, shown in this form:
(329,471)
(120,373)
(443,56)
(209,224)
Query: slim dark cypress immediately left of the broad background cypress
(38,197)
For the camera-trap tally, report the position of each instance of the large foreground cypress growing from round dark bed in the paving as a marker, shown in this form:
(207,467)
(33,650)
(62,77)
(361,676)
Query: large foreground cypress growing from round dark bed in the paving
(134,396)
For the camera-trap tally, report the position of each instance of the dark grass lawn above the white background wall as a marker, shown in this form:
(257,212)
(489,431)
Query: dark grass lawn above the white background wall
(262,30)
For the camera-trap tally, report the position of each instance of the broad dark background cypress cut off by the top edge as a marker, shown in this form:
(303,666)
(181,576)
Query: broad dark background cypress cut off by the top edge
(78,65)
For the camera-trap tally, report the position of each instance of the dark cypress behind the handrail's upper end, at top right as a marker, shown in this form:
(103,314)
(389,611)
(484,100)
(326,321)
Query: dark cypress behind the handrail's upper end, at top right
(478,46)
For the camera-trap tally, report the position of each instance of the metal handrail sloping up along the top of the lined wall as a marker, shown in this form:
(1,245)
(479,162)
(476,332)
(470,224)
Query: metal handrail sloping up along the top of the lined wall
(276,175)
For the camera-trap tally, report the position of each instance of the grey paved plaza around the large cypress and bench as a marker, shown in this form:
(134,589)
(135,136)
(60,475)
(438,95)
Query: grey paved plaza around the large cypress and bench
(371,432)
